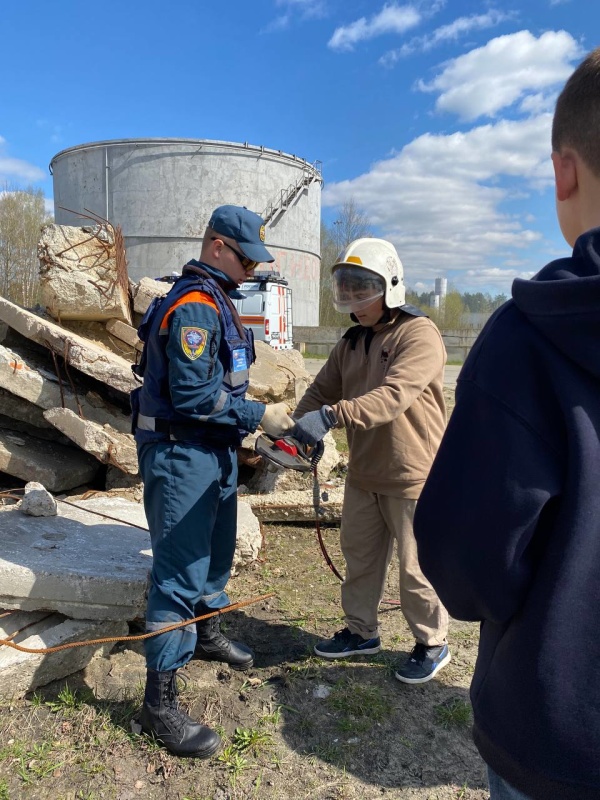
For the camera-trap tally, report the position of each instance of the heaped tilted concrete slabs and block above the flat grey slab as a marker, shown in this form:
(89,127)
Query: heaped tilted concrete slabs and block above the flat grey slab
(65,371)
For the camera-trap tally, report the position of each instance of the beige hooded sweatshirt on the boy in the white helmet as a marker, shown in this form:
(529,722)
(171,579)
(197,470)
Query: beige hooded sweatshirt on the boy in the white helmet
(390,400)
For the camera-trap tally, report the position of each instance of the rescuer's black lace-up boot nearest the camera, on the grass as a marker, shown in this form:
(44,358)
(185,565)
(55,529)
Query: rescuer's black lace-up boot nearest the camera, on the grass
(162,718)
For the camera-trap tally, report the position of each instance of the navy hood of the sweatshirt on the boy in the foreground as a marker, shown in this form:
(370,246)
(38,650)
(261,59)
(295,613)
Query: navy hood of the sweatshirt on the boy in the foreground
(563,302)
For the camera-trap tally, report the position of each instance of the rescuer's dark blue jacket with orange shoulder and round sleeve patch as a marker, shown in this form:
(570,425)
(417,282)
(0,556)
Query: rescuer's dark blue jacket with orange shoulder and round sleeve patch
(195,366)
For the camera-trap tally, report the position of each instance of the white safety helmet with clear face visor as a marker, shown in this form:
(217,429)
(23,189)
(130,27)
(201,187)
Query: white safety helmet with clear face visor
(369,268)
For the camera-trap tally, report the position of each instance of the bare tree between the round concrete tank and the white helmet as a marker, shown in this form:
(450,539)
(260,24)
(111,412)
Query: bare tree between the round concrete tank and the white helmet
(351,224)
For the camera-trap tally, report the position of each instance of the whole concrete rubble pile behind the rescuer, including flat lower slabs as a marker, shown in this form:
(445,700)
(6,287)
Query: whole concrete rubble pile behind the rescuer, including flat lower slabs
(77,569)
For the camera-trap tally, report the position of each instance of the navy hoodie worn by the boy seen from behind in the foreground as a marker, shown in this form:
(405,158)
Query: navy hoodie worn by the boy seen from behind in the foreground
(508,528)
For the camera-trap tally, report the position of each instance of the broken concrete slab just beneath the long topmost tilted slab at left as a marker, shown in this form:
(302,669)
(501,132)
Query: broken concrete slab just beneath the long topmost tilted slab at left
(25,377)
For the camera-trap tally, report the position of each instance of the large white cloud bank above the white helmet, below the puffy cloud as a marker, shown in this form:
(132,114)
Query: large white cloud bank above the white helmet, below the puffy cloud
(445,200)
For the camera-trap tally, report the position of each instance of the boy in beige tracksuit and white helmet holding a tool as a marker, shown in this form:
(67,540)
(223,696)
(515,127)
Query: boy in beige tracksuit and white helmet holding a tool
(383,383)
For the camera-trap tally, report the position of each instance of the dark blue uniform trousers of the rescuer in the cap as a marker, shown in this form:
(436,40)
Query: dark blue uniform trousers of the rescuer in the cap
(190,499)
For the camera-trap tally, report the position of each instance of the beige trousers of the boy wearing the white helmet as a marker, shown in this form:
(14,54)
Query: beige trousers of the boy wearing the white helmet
(370,524)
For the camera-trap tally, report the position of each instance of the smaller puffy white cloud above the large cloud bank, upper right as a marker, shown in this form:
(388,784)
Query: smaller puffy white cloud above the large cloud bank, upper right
(499,74)
